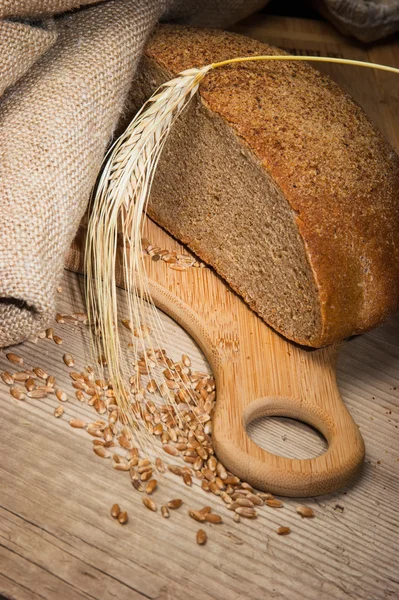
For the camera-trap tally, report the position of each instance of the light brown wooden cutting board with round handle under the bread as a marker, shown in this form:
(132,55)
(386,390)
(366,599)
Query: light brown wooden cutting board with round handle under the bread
(258,373)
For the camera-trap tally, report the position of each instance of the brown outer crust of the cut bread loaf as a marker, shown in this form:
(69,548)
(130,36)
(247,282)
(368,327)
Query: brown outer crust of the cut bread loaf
(333,166)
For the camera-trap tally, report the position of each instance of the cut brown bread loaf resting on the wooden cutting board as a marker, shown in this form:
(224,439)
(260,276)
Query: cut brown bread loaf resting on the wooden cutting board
(276,178)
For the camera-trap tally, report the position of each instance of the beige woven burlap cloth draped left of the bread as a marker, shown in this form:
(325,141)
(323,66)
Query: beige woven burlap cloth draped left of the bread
(66,82)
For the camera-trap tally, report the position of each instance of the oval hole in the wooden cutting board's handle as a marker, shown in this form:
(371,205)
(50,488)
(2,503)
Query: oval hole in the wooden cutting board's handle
(290,438)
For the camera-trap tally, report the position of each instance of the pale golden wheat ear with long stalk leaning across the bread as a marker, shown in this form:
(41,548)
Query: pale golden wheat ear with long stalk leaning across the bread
(120,199)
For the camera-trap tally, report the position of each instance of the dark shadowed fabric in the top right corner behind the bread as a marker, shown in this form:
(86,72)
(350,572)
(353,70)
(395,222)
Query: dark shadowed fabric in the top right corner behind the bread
(367,20)
